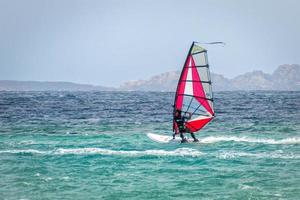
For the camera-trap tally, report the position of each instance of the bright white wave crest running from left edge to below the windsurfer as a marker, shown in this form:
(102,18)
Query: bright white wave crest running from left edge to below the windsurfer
(90,151)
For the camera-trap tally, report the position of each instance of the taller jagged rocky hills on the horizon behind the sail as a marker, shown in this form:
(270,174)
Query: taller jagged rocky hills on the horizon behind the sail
(285,77)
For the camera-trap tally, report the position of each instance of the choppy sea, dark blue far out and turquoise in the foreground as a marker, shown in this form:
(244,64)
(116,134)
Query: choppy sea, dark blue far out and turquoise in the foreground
(94,145)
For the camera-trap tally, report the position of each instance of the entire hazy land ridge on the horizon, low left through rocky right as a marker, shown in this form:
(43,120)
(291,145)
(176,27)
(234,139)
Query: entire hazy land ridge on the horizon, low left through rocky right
(285,77)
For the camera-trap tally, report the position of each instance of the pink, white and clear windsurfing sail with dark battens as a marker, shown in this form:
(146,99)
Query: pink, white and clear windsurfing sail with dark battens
(194,92)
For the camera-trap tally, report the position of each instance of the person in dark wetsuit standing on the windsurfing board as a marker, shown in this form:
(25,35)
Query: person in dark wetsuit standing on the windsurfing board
(181,129)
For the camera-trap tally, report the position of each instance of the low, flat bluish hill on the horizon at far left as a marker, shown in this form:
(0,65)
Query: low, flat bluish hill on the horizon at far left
(6,85)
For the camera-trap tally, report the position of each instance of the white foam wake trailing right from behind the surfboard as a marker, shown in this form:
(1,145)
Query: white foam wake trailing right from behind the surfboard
(215,139)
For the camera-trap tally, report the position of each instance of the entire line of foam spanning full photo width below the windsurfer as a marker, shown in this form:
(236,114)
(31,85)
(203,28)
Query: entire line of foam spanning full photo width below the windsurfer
(180,152)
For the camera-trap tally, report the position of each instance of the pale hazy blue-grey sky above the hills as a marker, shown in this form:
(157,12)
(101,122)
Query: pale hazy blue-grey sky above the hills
(108,42)
